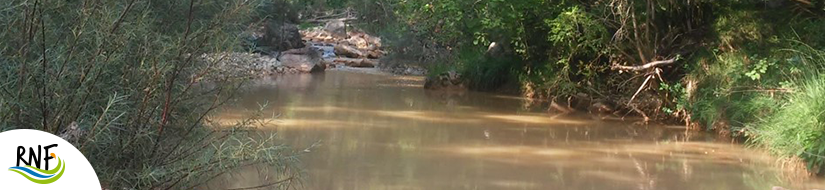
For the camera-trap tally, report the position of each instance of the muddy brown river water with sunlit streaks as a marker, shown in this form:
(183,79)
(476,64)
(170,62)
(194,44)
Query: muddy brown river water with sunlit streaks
(386,132)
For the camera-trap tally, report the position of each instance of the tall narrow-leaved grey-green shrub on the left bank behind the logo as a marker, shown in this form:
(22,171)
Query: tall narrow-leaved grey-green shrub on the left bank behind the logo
(128,75)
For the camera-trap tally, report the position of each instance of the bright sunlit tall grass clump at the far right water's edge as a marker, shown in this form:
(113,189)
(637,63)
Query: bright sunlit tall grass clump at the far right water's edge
(797,129)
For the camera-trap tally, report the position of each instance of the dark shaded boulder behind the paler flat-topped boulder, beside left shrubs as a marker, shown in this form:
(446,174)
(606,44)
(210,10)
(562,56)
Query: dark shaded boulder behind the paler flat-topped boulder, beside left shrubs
(280,36)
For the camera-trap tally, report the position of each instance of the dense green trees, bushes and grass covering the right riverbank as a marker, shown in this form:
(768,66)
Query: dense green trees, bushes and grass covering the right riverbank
(745,68)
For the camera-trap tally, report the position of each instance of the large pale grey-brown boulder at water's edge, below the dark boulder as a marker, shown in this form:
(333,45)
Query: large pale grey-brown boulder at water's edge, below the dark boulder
(304,60)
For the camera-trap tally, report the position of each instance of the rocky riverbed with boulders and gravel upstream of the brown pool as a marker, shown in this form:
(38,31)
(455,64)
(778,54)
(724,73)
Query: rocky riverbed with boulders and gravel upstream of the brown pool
(275,51)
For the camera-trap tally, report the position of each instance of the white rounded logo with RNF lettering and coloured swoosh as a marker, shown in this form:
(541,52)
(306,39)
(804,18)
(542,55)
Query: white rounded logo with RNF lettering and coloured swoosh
(38,160)
